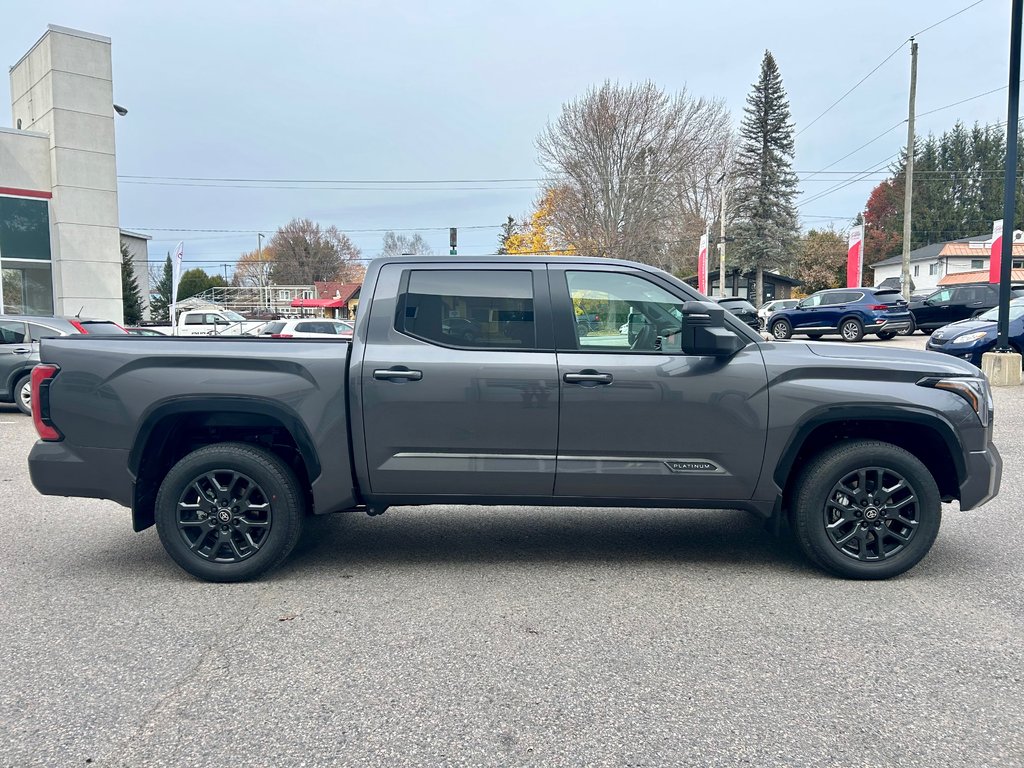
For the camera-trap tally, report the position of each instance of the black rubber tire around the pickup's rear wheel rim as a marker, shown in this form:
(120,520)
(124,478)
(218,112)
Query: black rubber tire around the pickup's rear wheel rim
(278,483)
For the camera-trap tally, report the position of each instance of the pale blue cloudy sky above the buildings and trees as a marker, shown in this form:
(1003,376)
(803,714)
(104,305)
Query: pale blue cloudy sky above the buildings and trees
(445,101)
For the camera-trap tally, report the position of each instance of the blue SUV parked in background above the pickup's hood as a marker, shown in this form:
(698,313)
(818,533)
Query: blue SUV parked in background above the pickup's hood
(848,312)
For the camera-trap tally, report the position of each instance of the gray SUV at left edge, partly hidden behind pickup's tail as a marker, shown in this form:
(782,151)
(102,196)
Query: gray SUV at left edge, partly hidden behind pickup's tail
(20,337)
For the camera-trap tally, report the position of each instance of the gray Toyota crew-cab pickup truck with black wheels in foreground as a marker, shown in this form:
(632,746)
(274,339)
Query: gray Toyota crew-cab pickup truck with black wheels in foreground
(468,381)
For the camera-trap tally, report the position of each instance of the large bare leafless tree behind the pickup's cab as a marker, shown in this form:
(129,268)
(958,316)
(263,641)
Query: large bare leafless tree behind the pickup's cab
(631,164)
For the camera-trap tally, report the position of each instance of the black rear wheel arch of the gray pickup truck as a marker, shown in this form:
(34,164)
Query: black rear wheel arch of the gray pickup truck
(170,431)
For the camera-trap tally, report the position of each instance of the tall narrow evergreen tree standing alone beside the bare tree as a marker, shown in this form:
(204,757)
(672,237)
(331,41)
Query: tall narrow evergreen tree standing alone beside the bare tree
(766,229)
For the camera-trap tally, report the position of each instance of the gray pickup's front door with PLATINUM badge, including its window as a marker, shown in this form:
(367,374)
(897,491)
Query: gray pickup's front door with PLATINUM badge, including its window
(644,419)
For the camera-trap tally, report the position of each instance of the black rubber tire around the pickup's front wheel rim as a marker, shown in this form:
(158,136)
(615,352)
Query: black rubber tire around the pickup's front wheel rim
(817,484)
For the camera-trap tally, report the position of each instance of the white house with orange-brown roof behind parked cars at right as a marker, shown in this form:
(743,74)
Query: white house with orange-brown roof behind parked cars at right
(931,264)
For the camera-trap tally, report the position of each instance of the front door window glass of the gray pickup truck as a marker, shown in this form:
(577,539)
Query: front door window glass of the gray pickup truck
(621,313)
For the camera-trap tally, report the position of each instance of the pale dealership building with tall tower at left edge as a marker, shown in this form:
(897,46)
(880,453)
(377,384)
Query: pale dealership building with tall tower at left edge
(60,241)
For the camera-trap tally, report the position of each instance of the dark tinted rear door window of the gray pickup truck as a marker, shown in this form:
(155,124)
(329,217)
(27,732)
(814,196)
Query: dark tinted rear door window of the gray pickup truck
(471,309)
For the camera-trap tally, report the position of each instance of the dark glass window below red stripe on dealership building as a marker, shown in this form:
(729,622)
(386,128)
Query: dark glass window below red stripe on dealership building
(27,284)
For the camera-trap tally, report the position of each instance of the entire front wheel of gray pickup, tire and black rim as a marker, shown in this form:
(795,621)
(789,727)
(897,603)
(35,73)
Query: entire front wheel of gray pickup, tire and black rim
(844,525)
